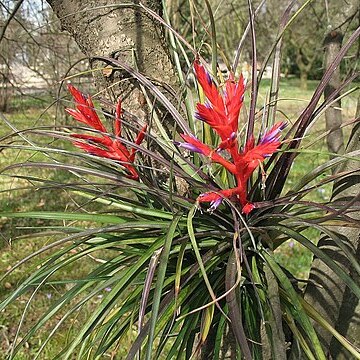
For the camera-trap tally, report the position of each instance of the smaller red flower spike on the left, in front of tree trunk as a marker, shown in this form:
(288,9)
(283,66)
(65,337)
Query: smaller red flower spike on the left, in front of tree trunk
(102,145)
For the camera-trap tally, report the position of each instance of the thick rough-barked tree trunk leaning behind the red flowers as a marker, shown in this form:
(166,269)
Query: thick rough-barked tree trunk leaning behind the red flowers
(125,33)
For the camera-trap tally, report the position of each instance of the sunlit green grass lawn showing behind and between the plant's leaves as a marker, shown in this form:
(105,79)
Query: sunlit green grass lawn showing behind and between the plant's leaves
(15,245)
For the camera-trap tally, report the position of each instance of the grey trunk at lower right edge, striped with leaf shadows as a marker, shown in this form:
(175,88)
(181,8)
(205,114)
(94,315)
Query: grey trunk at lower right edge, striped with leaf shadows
(331,297)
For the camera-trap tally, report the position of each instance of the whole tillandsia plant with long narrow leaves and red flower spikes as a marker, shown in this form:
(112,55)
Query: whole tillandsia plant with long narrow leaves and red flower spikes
(176,281)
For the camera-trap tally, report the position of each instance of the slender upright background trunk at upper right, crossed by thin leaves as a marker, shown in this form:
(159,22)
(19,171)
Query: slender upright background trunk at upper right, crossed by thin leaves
(335,139)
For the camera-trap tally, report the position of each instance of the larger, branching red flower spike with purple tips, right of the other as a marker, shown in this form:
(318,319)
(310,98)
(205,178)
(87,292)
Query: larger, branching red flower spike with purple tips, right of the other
(221,112)
